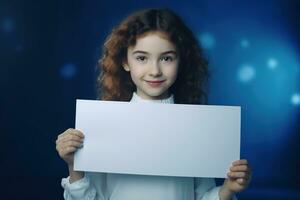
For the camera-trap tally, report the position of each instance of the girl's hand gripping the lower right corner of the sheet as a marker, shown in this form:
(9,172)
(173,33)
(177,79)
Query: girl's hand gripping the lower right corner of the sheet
(239,177)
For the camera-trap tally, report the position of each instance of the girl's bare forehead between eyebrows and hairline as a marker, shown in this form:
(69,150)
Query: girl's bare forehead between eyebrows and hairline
(153,42)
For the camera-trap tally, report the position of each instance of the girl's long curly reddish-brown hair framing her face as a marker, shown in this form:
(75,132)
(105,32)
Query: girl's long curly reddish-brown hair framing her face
(115,84)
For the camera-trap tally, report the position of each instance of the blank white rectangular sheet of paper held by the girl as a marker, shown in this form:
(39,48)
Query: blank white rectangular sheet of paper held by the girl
(157,139)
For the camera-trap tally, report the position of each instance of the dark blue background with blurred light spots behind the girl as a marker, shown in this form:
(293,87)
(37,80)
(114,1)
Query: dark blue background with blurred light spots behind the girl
(49,51)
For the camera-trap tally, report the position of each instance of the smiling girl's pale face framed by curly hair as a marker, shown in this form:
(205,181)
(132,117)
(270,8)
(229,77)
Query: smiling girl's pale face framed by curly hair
(153,65)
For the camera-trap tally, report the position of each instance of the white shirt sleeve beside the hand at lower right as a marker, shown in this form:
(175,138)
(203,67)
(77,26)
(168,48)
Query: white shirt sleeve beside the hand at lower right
(206,189)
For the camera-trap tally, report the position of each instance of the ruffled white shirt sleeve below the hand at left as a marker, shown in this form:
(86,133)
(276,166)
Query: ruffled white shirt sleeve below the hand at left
(83,189)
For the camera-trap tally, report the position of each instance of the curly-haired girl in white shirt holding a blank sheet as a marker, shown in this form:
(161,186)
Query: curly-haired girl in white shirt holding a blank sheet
(152,56)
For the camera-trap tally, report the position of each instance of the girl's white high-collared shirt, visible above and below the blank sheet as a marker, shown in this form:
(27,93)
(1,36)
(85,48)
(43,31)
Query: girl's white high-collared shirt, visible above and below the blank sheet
(104,186)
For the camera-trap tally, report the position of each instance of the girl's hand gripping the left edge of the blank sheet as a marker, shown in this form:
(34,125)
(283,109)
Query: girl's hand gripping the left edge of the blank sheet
(67,143)
